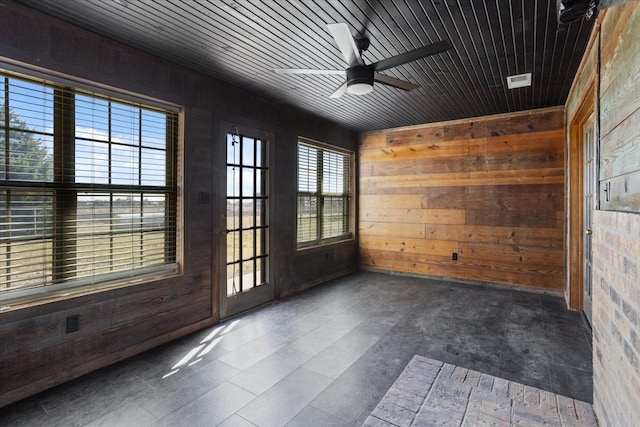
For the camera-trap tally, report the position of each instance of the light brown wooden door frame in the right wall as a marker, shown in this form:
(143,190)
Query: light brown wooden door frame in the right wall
(575,199)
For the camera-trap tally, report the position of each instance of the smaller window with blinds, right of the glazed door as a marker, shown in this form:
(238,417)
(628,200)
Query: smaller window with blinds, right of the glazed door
(324,194)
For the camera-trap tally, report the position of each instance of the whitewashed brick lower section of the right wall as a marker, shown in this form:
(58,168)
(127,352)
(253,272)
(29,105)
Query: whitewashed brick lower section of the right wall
(616,318)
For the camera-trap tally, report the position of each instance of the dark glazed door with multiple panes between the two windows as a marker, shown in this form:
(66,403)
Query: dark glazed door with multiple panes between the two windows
(245,277)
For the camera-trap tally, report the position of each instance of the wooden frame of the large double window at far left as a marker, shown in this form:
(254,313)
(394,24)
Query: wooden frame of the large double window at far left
(61,188)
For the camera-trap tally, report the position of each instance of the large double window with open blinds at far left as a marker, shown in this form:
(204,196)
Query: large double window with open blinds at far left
(87,188)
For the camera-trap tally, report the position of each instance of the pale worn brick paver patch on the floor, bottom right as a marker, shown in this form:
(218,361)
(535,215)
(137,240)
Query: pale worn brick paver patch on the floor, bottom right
(433,393)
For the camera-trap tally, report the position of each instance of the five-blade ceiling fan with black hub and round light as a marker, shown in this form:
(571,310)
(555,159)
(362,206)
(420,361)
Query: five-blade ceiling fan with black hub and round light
(360,76)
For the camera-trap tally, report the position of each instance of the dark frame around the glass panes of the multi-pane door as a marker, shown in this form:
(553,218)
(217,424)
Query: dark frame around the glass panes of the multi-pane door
(230,306)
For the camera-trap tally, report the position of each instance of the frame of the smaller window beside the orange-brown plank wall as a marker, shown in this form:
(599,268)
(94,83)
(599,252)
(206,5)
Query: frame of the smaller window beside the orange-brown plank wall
(347,195)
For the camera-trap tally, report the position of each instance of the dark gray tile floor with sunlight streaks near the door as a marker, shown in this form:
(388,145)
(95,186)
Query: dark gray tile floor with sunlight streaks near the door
(326,357)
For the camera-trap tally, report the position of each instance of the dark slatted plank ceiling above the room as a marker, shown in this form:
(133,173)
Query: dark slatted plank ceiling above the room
(242,41)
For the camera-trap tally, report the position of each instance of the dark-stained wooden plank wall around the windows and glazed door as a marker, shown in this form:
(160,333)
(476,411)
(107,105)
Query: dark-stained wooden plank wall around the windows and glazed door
(36,352)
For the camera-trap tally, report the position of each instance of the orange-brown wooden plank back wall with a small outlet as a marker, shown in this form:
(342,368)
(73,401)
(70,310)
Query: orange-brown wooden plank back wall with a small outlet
(489,189)
